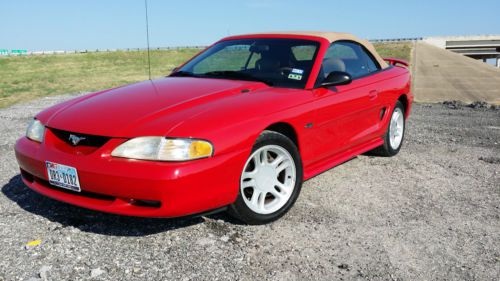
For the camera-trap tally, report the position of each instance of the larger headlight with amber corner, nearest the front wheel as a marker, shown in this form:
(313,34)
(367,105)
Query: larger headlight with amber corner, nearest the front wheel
(163,149)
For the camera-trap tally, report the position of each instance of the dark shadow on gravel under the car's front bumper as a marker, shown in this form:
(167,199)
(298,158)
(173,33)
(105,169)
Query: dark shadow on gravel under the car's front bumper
(92,221)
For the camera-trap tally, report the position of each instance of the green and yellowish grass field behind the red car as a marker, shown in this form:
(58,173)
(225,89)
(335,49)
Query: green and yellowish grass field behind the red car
(25,78)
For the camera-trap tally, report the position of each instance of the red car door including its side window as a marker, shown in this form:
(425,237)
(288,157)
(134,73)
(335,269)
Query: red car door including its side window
(348,115)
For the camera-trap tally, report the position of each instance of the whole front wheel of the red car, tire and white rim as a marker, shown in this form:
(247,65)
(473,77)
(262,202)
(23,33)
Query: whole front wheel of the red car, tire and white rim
(270,181)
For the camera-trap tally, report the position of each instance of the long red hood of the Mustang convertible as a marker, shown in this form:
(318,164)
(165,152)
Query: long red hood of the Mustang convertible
(125,111)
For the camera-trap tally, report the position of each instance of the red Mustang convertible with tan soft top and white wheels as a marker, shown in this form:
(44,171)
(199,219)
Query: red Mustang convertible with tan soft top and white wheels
(238,127)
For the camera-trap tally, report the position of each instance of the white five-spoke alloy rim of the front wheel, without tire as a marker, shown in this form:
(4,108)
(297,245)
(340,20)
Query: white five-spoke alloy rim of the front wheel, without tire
(268,179)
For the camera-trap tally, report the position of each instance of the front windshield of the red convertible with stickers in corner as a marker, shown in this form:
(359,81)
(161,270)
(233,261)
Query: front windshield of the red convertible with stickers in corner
(276,62)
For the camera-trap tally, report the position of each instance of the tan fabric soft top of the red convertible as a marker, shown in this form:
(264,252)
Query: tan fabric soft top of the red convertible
(332,37)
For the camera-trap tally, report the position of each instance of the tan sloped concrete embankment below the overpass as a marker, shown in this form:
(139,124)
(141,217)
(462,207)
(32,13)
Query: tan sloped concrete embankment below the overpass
(441,75)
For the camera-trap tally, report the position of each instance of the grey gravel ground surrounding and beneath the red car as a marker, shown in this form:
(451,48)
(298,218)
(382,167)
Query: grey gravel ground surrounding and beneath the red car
(430,213)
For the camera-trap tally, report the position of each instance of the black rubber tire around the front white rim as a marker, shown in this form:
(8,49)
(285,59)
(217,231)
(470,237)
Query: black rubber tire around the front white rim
(239,208)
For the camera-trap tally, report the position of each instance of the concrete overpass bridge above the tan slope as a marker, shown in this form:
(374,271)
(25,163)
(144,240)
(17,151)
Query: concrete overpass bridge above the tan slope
(480,47)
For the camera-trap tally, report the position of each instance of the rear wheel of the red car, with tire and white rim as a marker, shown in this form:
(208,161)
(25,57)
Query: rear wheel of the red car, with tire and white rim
(393,138)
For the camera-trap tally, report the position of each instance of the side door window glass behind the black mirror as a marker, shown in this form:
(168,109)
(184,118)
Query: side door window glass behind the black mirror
(347,57)
